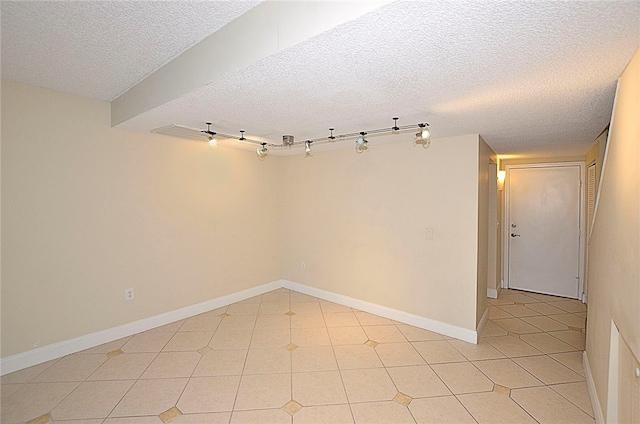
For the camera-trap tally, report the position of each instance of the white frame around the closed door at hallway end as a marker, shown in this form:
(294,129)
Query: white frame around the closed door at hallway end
(582,221)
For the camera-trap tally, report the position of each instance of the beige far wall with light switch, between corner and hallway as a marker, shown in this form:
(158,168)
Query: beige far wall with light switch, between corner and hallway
(358,222)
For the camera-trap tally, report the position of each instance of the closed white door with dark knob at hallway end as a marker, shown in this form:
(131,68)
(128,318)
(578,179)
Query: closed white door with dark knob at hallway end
(544,229)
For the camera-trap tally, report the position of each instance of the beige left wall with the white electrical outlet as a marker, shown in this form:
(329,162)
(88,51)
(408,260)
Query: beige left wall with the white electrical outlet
(88,211)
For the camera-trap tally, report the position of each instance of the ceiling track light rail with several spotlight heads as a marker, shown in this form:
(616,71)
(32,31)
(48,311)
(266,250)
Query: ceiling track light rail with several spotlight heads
(422,137)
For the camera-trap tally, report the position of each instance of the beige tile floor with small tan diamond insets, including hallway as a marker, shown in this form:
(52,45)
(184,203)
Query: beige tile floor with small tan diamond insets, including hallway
(284,357)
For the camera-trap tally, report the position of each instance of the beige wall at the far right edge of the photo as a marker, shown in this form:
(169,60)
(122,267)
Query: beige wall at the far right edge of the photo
(614,246)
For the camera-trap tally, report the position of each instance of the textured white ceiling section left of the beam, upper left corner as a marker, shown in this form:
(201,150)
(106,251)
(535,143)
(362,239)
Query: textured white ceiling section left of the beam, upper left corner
(99,49)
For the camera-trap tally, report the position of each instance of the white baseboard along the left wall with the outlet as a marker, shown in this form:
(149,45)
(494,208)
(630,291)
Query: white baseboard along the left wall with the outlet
(57,350)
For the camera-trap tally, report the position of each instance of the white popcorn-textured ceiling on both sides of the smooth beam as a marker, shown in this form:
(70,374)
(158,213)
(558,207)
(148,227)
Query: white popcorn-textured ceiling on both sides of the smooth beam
(533,78)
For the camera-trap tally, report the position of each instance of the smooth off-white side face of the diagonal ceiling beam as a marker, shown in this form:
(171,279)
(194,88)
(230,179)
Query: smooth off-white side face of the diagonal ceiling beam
(265,30)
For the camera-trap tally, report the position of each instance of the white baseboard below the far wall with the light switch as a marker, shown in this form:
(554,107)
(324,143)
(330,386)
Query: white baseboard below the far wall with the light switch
(440,327)
